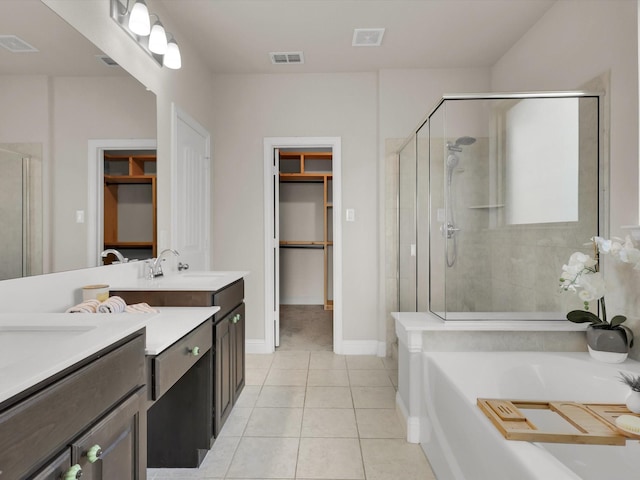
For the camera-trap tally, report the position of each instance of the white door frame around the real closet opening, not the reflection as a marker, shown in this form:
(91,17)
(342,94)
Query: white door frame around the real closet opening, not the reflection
(270,144)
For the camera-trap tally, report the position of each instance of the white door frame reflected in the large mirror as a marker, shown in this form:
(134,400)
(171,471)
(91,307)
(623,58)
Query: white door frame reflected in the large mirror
(95,186)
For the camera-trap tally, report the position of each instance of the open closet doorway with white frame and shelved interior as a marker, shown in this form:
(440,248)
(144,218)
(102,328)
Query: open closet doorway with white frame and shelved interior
(314,244)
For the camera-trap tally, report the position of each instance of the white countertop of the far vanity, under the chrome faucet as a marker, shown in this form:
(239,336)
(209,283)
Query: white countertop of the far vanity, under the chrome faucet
(209,281)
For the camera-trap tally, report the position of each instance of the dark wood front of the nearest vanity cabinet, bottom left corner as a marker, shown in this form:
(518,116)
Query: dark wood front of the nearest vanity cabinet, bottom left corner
(88,419)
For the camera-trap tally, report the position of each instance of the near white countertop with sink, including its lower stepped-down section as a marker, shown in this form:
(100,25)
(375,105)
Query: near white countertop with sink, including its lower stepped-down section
(35,346)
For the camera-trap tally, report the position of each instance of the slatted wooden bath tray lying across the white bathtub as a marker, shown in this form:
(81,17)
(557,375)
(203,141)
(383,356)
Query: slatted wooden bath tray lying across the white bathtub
(594,422)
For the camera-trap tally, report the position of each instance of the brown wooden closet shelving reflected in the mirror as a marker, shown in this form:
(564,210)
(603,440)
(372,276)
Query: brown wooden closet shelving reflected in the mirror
(122,170)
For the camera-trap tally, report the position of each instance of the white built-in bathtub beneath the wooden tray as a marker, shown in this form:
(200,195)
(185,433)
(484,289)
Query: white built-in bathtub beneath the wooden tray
(462,444)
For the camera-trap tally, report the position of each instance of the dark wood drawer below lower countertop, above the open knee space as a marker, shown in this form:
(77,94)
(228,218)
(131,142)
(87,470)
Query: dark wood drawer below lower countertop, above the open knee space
(174,362)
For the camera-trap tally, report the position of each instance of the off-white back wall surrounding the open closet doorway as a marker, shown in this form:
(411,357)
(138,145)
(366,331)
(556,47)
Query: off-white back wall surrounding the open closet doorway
(251,107)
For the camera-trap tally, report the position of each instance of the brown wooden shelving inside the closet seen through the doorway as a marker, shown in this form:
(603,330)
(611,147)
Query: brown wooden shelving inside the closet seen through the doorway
(306,166)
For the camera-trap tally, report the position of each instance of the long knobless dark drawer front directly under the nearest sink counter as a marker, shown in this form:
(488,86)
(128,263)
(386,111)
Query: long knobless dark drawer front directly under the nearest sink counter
(41,425)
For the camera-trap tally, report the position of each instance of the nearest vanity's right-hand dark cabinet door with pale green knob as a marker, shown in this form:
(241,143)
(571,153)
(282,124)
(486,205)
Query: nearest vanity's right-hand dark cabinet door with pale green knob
(116,446)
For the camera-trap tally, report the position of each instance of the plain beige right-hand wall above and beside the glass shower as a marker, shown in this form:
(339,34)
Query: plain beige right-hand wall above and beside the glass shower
(574,42)
